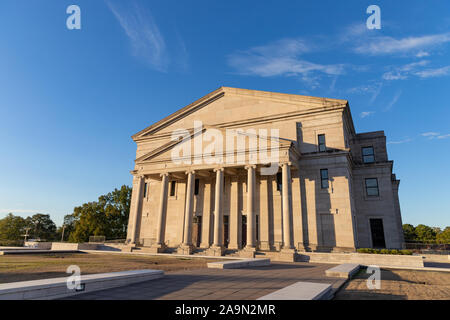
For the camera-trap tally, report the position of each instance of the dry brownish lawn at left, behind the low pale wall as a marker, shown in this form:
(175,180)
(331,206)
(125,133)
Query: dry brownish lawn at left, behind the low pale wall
(32,267)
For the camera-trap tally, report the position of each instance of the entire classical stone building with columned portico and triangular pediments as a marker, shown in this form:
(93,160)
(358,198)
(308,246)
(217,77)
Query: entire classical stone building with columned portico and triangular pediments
(320,186)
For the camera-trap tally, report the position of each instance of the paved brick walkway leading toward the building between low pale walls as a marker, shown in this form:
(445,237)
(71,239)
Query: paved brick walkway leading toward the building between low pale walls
(219,284)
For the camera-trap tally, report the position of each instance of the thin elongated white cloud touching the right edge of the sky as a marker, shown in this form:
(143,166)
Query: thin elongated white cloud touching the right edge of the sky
(389,45)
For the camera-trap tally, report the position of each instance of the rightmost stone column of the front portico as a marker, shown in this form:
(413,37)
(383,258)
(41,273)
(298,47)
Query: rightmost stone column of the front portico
(287,253)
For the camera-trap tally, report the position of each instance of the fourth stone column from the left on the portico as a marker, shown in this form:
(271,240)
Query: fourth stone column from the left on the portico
(217,247)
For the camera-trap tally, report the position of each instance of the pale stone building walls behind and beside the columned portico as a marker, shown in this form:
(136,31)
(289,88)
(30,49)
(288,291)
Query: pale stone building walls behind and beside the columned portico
(336,218)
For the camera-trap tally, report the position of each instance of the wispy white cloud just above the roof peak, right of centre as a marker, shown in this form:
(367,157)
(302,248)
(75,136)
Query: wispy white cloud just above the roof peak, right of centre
(282,58)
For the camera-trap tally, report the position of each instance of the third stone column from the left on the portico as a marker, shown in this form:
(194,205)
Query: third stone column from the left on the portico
(186,247)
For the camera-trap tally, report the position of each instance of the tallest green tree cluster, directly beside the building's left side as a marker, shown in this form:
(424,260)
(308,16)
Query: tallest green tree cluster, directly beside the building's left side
(106,217)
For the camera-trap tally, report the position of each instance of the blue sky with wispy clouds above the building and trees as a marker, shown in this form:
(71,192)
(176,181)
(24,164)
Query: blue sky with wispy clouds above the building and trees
(71,99)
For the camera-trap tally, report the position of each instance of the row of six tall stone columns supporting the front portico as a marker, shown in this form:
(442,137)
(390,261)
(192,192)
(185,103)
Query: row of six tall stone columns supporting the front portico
(186,246)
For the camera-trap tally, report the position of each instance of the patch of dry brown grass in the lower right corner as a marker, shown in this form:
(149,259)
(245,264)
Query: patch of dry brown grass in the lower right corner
(399,285)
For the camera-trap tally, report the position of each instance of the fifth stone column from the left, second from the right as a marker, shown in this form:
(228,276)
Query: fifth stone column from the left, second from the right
(250,248)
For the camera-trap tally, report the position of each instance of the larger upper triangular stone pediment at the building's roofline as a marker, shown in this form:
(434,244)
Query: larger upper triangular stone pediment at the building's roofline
(226,106)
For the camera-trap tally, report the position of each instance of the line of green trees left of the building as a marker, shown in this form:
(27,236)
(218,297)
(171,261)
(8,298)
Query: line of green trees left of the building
(106,217)
